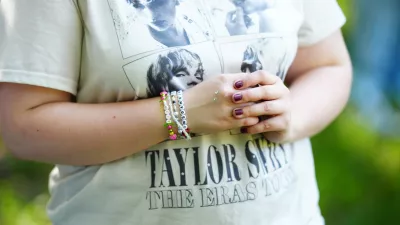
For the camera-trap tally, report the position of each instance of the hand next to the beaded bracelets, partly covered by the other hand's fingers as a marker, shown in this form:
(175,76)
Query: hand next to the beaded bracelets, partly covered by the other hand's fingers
(204,115)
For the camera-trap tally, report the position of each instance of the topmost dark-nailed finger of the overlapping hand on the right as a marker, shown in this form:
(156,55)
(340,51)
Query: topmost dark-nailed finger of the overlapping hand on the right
(258,77)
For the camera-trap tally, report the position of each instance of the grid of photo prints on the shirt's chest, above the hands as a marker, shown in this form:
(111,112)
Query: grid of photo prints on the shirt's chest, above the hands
(182,49)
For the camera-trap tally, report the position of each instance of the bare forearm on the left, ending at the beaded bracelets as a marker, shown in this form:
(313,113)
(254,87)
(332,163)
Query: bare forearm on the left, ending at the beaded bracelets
(87,134)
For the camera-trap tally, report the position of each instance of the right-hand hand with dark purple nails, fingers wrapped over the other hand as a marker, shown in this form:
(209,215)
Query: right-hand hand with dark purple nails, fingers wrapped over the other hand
(272,100)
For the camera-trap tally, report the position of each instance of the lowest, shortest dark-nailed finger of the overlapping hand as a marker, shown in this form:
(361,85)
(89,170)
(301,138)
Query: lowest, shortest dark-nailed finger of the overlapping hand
(277,123)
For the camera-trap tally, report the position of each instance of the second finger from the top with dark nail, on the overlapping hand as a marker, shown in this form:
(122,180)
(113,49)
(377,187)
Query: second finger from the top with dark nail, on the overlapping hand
(267,92)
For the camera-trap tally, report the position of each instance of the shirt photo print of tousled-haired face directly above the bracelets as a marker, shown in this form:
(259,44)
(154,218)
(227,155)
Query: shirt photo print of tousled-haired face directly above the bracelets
(173,69)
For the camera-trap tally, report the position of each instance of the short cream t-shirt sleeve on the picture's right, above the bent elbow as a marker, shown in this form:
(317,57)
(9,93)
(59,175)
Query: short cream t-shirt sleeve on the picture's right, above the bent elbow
(321,19)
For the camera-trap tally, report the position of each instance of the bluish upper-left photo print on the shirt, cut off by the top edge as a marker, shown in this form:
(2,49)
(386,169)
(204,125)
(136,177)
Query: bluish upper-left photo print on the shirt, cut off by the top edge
(149,25)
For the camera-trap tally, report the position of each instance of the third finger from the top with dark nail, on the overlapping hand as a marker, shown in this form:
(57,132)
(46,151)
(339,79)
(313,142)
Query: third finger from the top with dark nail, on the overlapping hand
(267,108)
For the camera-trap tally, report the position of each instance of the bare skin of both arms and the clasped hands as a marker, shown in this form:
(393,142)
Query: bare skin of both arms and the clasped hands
(44,125)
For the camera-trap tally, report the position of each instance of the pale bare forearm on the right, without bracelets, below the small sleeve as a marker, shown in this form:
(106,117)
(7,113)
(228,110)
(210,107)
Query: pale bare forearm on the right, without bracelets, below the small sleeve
(318,97)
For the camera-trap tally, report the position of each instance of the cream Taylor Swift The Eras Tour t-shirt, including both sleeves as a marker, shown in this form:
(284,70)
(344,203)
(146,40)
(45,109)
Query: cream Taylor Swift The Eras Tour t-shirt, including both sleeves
(124,50)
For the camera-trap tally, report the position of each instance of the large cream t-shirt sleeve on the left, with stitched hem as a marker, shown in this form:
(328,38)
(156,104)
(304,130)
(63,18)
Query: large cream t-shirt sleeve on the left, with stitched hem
(40,43)
